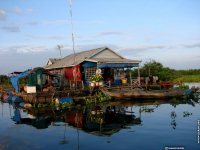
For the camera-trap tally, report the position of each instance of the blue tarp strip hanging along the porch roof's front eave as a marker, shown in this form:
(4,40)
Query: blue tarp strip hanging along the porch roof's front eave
(118,65)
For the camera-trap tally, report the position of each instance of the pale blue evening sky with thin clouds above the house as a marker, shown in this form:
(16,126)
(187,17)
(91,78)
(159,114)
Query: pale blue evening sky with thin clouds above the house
(167,31)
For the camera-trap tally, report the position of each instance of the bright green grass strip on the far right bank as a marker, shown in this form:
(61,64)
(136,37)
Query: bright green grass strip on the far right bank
(188,78)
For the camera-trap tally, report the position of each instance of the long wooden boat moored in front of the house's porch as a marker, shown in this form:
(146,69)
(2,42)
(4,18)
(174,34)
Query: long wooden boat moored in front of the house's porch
(143,94)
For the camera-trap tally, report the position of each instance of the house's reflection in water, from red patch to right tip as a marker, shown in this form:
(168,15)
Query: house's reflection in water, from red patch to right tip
(101,121)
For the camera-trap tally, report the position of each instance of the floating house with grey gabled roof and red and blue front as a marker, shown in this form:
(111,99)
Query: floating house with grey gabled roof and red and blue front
(81,66)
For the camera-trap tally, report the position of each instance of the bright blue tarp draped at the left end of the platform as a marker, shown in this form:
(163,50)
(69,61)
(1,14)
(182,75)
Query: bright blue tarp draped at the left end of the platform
(14,80)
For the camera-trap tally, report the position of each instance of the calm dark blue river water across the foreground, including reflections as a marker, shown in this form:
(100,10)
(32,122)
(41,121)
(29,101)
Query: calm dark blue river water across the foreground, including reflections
(120,125)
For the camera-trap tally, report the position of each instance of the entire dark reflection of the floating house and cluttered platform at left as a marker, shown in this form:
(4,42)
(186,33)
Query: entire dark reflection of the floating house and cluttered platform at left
(99,121)
